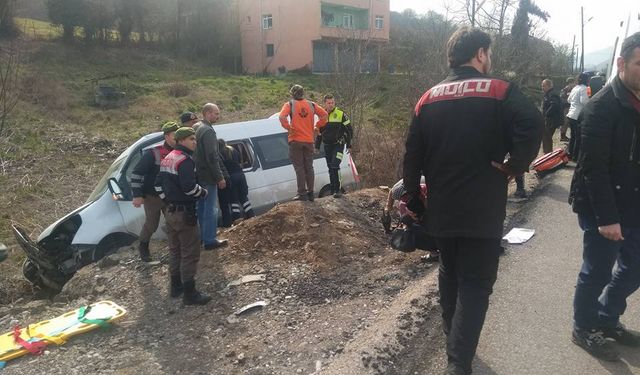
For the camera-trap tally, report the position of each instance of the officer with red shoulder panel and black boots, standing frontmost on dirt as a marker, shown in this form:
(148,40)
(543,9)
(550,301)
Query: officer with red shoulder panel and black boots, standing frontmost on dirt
(177,185)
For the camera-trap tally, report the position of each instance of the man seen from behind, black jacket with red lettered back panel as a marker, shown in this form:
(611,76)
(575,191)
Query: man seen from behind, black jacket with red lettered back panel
(461,132)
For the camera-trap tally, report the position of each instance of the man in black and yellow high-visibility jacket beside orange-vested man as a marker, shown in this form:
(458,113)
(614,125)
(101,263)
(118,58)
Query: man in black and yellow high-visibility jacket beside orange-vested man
(335,135)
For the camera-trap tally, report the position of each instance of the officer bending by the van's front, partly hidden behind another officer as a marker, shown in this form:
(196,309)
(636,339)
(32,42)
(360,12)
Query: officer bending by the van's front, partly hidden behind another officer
(143,179)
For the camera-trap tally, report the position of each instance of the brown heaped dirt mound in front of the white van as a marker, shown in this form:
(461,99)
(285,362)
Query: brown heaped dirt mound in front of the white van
(319,233)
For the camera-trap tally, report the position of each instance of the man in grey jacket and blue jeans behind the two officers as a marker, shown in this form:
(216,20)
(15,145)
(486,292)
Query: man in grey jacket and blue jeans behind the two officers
(210,175)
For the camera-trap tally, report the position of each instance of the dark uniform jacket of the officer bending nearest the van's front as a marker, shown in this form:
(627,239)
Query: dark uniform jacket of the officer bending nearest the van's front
(143,176)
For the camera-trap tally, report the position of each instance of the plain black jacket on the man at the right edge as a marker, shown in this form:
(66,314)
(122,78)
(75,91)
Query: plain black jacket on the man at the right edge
(606,182)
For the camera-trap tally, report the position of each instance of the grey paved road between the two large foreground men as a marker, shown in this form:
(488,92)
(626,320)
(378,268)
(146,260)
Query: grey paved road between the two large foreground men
(528,325)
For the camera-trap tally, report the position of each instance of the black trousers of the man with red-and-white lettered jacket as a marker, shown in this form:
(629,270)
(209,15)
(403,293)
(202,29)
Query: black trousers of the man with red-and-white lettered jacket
(468,270)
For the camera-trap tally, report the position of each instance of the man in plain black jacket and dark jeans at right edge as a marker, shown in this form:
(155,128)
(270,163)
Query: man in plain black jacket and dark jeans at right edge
(605,193)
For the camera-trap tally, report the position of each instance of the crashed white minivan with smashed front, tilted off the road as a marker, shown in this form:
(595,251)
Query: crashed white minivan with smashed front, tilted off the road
(108,220)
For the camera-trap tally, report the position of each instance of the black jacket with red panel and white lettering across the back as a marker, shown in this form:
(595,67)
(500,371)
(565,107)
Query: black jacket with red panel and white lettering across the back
(460,127)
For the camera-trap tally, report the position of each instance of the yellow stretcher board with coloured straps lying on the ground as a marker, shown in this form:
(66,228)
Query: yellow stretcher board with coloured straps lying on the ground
(59,330)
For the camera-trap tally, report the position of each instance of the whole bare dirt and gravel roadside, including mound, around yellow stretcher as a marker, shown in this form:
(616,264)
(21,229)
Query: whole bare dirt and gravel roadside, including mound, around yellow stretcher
(325,273)
